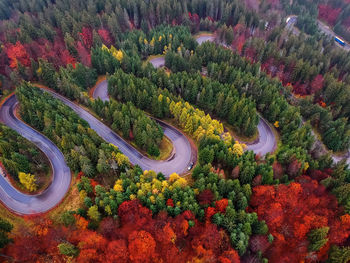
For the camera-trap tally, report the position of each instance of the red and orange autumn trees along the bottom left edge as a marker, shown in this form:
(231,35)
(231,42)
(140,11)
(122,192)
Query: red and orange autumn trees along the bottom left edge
(135,237)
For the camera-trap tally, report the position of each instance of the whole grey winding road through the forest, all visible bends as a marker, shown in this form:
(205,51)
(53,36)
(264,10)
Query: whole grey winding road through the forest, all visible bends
(181,158)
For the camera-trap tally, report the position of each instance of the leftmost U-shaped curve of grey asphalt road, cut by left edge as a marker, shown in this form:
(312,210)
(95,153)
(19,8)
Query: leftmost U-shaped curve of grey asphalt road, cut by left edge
(32,204)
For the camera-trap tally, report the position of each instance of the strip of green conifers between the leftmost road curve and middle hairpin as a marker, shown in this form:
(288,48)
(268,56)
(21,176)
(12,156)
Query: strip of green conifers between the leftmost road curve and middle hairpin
(84,150)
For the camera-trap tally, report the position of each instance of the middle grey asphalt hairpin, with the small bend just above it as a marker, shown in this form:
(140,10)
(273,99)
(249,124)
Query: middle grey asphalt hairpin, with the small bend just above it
(179,162)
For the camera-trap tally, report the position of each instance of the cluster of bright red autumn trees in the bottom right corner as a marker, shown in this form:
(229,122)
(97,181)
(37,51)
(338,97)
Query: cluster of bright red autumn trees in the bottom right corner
(291,212)
